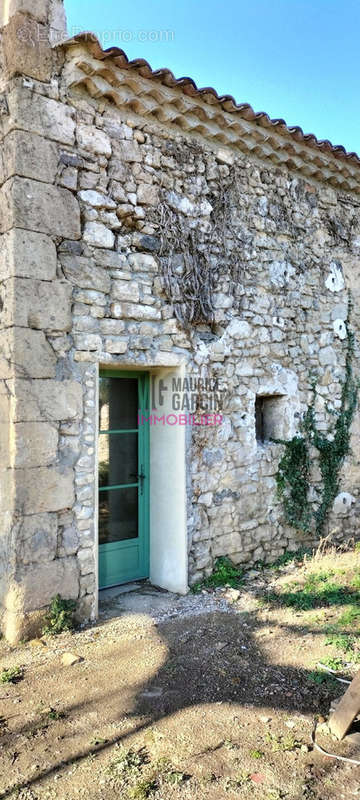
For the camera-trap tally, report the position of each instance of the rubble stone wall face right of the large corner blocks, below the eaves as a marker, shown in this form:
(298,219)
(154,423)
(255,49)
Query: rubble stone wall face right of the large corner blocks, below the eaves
(277,319)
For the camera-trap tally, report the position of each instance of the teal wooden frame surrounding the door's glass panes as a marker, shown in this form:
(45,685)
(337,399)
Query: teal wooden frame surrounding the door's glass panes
(143,378)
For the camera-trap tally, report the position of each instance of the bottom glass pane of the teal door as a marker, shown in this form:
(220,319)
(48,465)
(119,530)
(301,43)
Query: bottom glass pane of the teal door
(118,515)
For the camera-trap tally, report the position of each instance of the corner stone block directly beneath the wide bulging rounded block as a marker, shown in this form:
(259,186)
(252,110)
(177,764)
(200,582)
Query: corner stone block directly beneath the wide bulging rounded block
(26,254)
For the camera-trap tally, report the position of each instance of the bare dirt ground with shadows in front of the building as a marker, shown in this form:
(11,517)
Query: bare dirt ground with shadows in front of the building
(206,697)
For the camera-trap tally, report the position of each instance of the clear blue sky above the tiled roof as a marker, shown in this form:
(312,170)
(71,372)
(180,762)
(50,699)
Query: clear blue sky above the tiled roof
(295,59)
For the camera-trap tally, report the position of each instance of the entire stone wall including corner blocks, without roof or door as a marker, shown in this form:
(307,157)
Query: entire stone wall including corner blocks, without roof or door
(92,272)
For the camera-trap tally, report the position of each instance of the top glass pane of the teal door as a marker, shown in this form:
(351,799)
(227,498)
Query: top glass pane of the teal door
(118,404)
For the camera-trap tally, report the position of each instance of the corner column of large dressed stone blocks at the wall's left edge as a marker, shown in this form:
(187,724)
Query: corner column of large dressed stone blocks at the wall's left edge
(36,480)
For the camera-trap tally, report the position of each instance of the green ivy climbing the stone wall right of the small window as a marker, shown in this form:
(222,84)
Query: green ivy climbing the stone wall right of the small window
(293,476)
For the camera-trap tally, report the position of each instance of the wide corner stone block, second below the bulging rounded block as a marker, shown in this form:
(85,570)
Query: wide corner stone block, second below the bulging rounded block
(36,304)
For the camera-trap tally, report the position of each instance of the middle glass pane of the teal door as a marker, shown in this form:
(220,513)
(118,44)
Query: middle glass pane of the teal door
(118,458)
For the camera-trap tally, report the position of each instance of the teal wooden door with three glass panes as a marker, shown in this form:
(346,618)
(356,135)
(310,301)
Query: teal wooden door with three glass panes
(123,477)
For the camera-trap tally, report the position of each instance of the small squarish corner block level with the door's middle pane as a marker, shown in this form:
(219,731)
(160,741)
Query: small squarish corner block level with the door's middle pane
(35,444)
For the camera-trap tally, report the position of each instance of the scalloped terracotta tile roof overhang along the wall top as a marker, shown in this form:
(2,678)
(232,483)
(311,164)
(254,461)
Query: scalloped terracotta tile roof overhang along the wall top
(134,87)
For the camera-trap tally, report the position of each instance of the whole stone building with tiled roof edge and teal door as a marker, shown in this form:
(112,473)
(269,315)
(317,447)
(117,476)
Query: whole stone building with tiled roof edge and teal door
(164,253)
